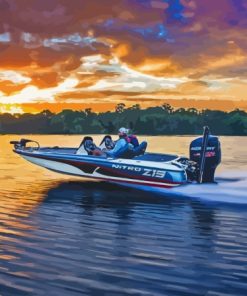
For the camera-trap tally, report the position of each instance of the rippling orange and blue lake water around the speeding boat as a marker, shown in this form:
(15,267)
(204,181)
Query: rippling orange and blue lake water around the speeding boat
(62,235)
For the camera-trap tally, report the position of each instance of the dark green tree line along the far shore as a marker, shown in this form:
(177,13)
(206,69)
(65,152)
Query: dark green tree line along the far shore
(160,120)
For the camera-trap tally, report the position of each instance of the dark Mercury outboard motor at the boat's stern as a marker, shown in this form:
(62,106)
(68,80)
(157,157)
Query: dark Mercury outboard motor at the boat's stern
(206,153)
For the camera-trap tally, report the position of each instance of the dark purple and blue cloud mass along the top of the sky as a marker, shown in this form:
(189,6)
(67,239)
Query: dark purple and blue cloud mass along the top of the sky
(177,28)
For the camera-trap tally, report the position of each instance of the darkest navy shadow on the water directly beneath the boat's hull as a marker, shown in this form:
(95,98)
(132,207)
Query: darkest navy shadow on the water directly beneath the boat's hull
(92,196)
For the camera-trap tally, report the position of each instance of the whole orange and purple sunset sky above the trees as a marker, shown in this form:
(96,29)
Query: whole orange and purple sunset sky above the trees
(61,54)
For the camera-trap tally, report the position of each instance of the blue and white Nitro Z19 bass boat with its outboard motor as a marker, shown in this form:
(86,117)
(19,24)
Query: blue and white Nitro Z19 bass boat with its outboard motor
(131,167)
